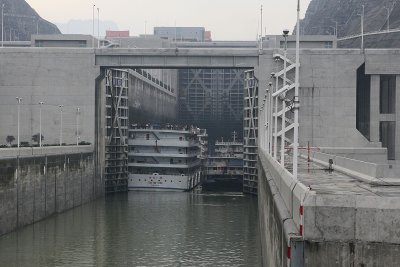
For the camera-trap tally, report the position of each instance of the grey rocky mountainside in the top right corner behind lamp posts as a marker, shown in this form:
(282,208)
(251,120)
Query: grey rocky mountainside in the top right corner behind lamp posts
(322,15)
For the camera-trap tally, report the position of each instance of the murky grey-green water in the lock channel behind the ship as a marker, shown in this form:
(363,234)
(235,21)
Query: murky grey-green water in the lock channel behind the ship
(143,229)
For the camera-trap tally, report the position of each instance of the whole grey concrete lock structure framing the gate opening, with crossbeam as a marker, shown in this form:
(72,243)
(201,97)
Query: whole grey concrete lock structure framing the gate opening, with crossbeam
(342,207)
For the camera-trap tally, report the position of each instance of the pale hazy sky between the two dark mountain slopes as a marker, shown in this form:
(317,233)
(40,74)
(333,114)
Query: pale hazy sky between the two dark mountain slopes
(227,19)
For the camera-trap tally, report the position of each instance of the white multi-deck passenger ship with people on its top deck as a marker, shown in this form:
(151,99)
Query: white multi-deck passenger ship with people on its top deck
(163,158)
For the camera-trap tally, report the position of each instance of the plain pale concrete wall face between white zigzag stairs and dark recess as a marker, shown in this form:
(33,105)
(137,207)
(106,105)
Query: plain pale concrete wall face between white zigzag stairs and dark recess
(326,76)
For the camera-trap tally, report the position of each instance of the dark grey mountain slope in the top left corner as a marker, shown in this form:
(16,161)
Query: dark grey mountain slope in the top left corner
(20,21)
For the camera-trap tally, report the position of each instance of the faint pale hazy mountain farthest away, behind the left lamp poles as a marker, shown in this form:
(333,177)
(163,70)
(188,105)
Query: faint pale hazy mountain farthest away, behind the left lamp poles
(86,27)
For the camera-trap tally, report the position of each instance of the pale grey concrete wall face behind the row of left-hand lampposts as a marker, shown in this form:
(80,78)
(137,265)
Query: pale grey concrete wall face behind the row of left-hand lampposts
(53,76)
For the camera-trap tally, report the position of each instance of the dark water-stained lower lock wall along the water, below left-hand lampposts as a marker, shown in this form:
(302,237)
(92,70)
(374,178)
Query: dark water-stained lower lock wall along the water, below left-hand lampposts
(37,186)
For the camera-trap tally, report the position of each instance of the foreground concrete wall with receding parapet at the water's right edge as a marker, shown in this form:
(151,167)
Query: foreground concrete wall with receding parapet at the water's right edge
(339,230)
